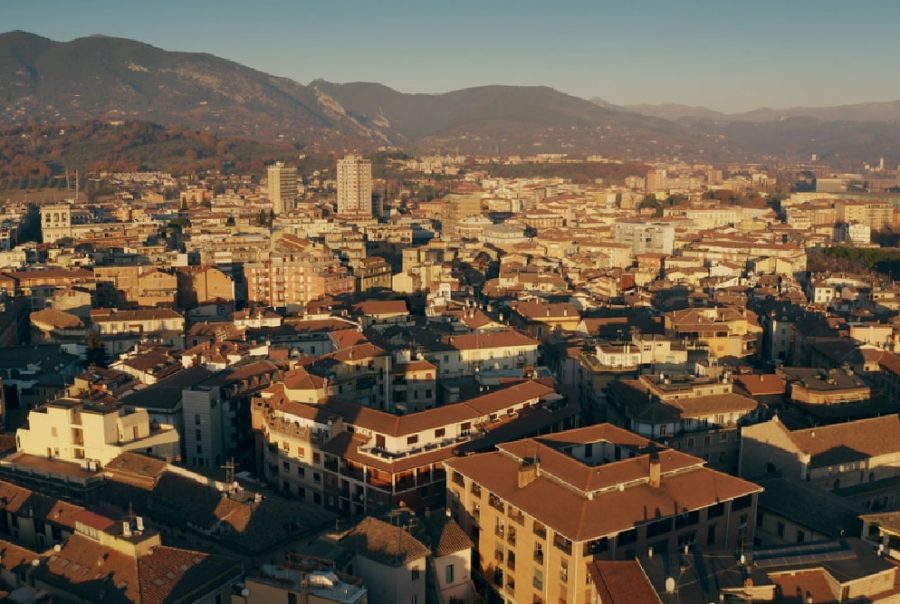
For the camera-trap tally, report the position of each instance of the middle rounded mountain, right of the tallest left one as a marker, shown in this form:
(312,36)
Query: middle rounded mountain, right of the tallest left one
(508,118)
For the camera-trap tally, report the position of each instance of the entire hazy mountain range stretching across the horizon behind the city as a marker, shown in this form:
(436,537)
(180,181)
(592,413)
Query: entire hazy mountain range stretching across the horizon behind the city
(116,79)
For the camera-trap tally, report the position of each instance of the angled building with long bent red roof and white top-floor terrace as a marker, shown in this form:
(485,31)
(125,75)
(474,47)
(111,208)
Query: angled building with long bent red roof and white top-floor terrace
(355,459)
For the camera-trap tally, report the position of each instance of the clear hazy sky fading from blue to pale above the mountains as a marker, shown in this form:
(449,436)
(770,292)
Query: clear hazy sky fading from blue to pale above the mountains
(728,55)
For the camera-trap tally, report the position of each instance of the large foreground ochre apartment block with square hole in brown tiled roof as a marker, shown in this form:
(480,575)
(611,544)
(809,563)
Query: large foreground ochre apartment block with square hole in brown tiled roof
(541,509)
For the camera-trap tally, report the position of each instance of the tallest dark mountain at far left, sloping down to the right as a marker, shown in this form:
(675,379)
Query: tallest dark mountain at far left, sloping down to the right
(116,79)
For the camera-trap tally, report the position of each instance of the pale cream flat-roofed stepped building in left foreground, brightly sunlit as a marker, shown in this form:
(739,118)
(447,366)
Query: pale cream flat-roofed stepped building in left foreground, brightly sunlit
(81,431)
